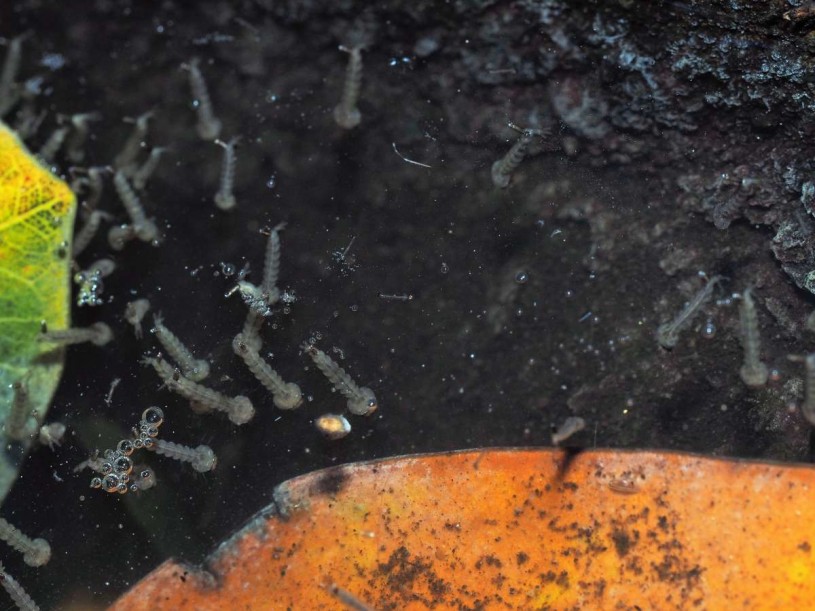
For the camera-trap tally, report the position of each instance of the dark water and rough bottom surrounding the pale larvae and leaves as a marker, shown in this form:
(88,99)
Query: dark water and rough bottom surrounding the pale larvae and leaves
(653,109)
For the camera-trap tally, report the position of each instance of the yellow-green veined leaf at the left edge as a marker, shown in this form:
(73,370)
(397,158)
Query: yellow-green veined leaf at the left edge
(36,224)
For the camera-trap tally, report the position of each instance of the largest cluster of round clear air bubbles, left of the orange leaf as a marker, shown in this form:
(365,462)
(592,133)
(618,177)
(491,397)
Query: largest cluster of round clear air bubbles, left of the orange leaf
(116,466)
